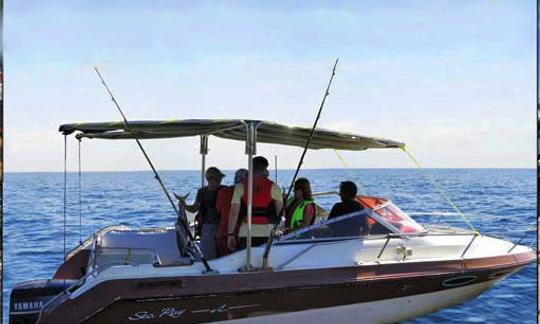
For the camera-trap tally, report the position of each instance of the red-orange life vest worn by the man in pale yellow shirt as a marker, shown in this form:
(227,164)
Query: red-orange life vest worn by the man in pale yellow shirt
(263,209)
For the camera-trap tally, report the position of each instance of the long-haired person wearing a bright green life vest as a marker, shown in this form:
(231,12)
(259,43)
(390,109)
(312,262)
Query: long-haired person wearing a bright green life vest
(300,210)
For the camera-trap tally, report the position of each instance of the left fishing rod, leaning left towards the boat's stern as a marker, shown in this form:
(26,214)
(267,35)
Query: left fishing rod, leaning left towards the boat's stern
(179,220)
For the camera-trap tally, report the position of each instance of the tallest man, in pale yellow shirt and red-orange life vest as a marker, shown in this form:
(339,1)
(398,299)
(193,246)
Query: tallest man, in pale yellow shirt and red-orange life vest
(267,203)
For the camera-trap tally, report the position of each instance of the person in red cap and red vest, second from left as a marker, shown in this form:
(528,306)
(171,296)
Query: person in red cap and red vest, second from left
(223,205)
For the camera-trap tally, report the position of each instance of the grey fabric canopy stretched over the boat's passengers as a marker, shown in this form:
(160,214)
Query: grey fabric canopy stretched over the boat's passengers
(235,129)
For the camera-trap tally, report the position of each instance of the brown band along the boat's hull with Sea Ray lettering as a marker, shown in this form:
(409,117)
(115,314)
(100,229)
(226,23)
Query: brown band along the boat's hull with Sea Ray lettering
(221,297)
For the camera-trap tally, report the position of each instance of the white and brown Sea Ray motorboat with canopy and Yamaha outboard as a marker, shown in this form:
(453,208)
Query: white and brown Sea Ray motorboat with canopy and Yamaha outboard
(327,272)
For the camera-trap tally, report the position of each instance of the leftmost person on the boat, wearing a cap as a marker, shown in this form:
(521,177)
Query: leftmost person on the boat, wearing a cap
(207,219)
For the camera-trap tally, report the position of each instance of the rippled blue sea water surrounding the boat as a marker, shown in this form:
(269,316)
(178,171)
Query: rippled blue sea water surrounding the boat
(500,199)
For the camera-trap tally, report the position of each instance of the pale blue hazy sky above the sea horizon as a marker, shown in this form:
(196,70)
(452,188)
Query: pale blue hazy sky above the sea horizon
(454,80)
